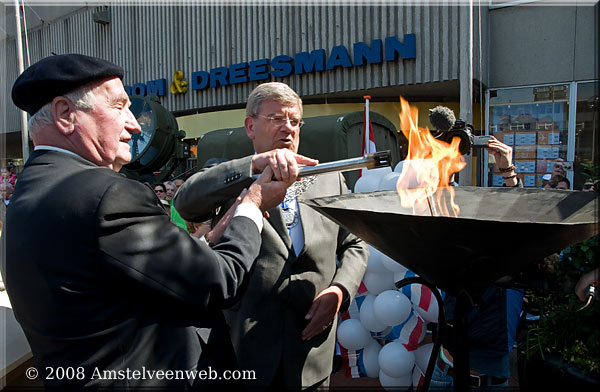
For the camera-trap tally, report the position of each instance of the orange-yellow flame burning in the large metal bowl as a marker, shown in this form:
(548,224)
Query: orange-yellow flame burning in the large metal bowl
(427,170)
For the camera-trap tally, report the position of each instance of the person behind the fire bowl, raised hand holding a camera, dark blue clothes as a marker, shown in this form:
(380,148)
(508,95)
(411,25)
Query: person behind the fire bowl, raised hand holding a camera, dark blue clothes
(492,324)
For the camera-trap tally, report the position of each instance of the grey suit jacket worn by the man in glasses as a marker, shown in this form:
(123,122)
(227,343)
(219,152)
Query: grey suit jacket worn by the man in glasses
(267,323)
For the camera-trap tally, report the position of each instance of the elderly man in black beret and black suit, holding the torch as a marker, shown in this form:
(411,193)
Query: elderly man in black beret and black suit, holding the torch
(108,291)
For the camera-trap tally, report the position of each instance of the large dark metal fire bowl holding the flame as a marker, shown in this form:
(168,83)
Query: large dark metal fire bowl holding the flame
(497,231)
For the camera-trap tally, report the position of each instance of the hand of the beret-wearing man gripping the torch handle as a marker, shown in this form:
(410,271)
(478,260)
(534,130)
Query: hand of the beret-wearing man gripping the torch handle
(267,193)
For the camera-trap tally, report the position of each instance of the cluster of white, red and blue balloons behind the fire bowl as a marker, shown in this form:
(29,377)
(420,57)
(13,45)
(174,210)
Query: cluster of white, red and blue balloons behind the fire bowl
(391,323)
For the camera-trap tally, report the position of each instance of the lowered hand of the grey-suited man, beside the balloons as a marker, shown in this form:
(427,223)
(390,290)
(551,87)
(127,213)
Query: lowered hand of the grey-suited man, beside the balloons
(323,311)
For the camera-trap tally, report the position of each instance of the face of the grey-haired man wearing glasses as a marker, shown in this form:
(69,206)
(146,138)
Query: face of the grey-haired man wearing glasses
(266,135)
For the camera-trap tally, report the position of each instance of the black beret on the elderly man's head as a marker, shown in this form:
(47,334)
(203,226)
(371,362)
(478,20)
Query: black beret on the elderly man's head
(58,75)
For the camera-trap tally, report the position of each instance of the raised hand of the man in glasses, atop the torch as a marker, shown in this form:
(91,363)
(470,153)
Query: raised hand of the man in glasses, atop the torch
(284,163)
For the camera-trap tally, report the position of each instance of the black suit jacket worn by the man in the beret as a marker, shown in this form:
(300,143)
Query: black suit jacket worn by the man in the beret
(100,278)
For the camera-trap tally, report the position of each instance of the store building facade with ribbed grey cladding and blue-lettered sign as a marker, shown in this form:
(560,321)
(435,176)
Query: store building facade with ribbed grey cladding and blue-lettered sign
(493,64)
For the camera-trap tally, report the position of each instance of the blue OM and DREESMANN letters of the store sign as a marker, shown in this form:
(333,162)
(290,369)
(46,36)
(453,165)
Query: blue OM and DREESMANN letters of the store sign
(317,60)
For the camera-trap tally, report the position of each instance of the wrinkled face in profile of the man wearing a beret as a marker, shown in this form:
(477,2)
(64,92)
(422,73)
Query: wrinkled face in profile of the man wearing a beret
(106,129)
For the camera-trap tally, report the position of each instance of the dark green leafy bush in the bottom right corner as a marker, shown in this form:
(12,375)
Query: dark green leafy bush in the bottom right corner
(574,335)
